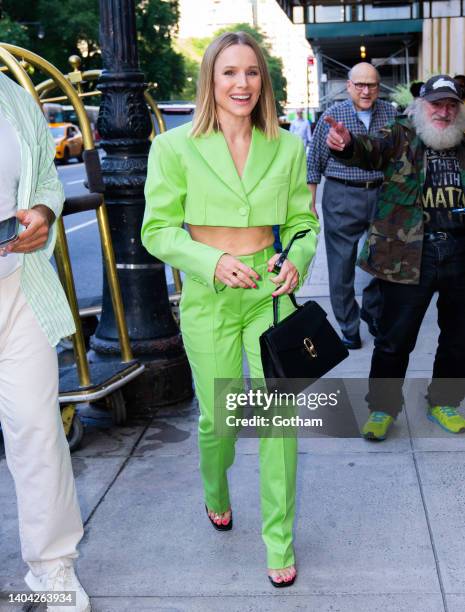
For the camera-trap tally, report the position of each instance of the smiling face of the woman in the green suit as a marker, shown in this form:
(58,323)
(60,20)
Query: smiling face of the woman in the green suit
(237,82)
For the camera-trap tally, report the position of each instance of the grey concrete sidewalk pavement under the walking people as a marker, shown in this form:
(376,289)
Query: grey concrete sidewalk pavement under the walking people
(380,527)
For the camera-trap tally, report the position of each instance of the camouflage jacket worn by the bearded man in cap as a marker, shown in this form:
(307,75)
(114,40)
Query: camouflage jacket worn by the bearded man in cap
(394,244)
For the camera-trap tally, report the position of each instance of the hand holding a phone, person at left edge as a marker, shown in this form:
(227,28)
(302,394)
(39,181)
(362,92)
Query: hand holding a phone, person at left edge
(37,222)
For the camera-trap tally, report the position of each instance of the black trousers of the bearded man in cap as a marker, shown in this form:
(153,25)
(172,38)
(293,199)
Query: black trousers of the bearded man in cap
(403,309)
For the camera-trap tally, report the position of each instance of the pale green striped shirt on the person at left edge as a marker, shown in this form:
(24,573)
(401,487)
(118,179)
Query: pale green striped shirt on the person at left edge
(38,184)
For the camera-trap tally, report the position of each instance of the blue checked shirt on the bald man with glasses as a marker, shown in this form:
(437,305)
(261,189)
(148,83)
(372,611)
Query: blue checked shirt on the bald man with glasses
(321,162)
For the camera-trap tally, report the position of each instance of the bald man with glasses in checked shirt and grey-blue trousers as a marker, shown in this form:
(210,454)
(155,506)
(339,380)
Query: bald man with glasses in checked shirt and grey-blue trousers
(349,200)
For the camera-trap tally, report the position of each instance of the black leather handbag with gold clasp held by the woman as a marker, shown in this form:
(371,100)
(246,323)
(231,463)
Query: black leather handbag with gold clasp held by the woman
(302,346)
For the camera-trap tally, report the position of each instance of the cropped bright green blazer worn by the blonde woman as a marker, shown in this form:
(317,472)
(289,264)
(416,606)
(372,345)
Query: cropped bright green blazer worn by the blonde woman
(194,180)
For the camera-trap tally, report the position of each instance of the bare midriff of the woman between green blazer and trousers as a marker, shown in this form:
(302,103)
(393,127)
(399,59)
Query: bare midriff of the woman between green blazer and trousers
(234,240)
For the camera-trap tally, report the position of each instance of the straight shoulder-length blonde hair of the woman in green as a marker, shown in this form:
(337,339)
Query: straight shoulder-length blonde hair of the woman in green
(264,115)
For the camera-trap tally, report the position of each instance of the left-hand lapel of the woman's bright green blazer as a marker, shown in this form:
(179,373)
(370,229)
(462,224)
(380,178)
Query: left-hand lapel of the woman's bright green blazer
(215,152)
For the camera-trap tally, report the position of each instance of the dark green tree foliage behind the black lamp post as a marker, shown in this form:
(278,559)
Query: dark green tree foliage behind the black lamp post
(71,28)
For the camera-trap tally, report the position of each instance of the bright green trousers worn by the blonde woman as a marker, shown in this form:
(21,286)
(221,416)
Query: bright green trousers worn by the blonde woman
(216,327)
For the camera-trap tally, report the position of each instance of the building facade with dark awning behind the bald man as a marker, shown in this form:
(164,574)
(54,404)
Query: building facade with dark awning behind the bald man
(404,40)
